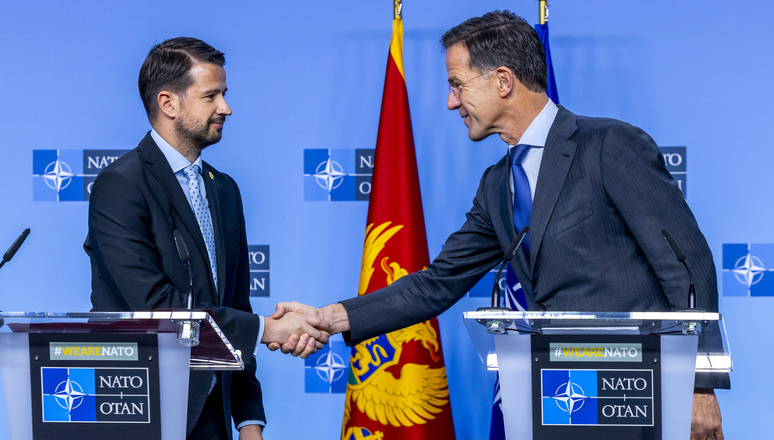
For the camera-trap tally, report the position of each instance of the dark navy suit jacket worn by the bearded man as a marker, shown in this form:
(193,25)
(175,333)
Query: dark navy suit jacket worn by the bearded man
(136,203)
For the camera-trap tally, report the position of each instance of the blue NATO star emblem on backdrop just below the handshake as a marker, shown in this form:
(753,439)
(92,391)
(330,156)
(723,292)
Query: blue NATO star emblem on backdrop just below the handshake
(326,370)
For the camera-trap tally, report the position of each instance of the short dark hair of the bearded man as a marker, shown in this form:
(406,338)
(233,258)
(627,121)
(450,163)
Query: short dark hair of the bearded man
(167,65)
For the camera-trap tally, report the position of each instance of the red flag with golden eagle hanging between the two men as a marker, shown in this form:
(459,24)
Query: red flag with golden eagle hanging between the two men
(397,388)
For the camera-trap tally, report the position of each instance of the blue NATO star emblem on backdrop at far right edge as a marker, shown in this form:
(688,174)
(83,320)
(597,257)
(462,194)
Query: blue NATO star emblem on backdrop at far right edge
(747,269)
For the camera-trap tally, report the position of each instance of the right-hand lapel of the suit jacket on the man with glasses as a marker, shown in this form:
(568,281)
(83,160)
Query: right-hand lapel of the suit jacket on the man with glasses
(555,165)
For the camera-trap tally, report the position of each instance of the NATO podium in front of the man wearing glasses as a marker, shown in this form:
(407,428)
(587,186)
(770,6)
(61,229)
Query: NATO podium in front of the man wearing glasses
(590,375)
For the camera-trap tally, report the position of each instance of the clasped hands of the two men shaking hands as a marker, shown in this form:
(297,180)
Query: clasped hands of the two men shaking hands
(301,330)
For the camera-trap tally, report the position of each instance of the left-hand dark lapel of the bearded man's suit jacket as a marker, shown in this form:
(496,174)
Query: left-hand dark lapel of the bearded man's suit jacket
(159,167)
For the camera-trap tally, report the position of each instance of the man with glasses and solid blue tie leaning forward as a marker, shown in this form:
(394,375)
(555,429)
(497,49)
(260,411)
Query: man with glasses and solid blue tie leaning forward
(594,192)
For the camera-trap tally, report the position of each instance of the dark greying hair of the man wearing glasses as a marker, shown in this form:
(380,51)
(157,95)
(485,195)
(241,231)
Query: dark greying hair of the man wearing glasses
(502,38)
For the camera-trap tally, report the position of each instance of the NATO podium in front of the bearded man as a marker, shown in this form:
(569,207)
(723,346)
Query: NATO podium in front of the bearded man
(105,374)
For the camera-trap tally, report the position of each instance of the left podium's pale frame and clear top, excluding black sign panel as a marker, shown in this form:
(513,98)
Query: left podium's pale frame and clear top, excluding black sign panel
(211,351)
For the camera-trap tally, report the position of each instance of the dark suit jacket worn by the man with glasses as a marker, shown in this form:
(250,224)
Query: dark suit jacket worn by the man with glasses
(603,196)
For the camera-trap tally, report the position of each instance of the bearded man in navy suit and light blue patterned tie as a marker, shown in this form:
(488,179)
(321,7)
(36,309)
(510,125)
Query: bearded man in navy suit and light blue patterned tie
(162,186)
